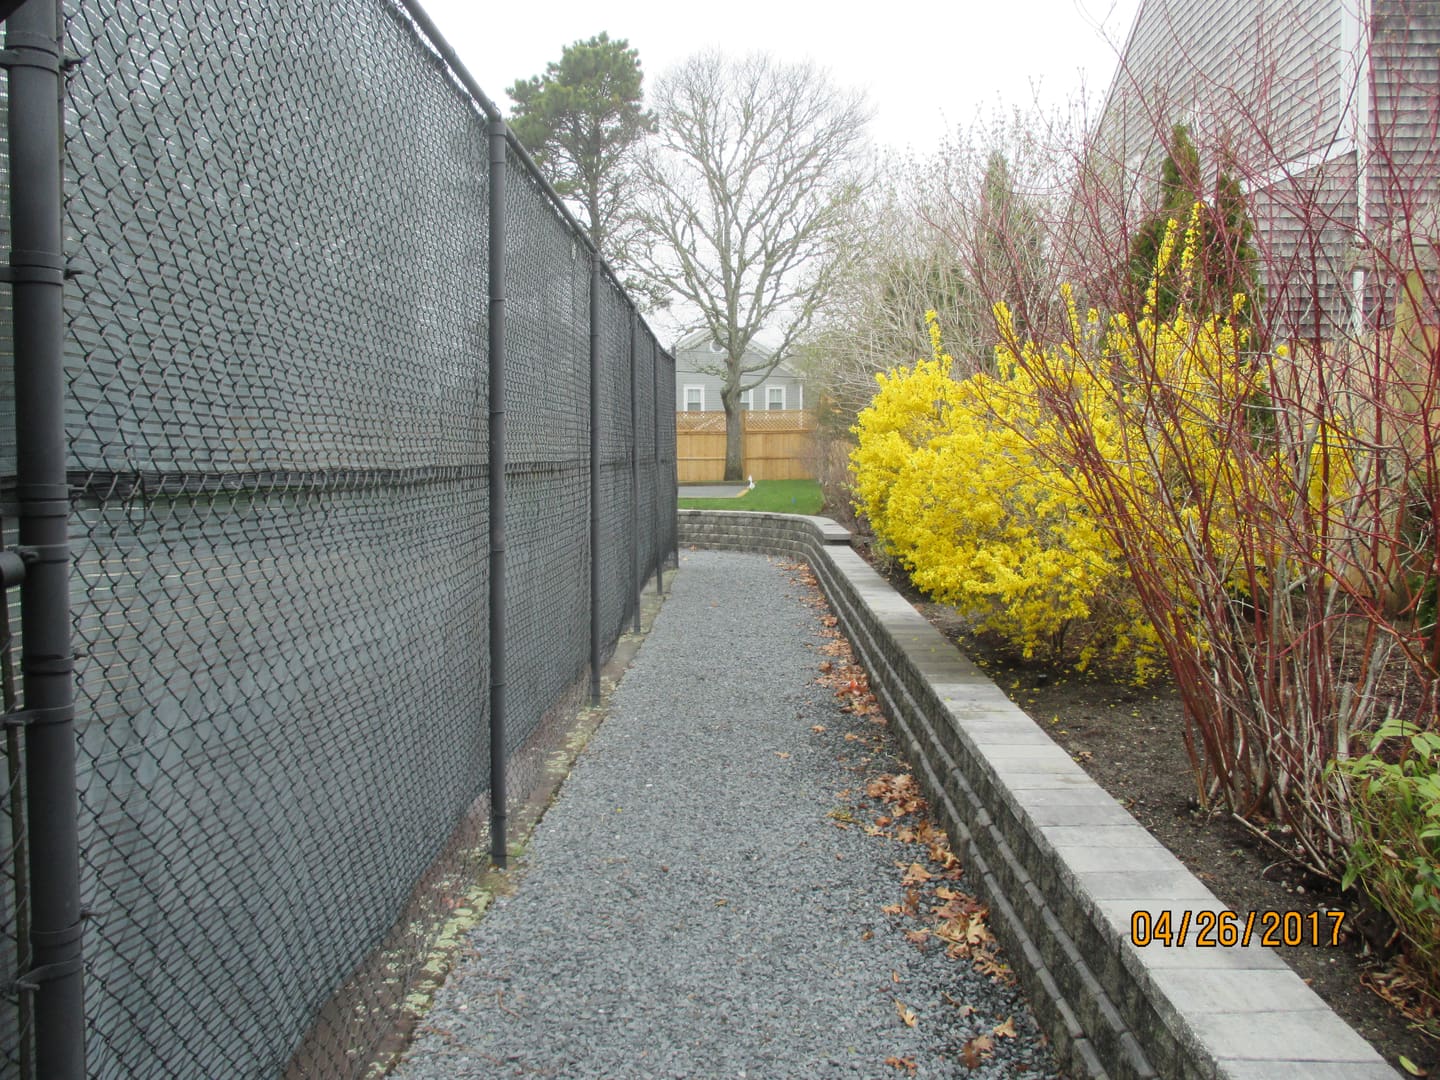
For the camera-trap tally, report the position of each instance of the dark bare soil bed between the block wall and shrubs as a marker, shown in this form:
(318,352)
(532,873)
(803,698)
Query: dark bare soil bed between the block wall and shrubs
(1131,742)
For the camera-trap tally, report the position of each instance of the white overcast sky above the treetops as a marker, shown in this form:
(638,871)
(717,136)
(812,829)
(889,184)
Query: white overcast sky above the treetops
(927,67)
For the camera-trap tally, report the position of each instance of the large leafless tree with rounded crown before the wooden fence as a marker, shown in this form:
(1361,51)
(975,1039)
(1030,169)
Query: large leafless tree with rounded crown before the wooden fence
(750,184)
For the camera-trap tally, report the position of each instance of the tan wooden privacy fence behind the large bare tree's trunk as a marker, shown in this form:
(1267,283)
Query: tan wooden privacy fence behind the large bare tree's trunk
(778,446)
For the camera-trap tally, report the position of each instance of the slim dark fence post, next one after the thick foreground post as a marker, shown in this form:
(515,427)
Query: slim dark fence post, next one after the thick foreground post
(498,492)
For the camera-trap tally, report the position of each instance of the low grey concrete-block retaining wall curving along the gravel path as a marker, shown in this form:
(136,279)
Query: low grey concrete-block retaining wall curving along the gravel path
(1062,865)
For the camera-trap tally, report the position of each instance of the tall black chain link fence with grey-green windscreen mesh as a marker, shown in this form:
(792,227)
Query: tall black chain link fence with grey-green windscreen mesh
(279,427)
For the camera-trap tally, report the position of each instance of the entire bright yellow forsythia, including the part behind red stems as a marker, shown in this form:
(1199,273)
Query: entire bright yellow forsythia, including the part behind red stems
(1012,495)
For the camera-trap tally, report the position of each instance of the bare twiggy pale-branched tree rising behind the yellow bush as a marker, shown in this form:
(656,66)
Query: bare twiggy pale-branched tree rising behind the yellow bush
(950,233)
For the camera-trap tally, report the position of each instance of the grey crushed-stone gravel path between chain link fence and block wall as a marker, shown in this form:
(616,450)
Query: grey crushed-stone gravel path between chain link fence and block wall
(688,909)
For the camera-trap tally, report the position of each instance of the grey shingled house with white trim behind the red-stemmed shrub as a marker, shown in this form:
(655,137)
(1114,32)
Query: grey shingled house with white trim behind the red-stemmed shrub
(1328,112)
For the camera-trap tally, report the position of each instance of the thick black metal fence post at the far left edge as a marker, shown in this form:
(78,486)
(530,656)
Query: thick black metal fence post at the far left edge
(38,279)
